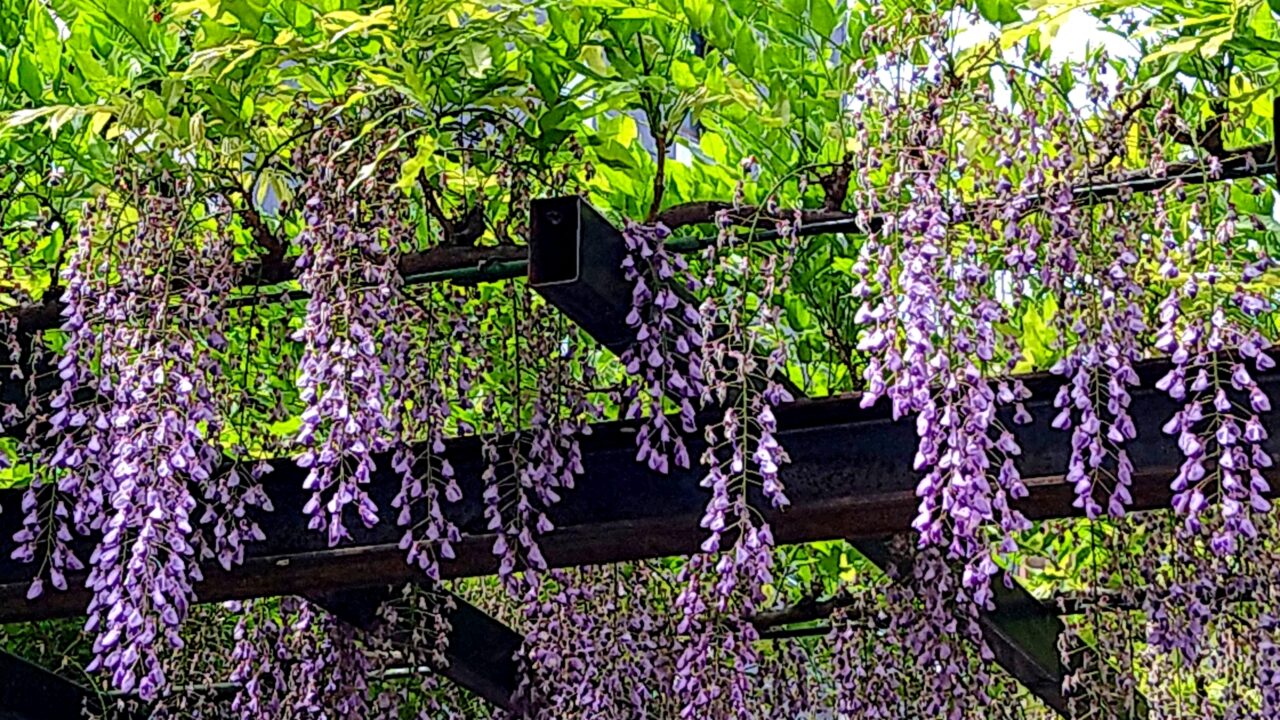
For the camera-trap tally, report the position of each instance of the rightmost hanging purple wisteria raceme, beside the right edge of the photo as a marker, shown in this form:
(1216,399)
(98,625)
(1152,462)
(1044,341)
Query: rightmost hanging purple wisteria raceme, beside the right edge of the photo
(1210,326)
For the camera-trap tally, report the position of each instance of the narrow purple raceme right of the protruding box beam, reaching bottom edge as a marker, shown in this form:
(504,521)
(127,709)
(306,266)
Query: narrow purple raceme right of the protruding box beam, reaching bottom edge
(724,587)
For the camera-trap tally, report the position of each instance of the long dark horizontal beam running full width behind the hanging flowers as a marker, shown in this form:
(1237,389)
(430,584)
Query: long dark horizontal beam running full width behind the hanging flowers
(851,477)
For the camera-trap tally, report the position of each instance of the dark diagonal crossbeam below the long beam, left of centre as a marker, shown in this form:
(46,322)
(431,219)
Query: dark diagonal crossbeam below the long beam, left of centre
(482,651)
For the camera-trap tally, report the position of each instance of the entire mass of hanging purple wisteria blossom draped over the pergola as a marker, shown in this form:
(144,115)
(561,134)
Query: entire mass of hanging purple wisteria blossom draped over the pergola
(140,470)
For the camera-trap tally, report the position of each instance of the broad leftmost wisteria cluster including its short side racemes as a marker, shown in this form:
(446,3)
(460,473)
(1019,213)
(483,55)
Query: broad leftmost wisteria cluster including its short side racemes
(132,450)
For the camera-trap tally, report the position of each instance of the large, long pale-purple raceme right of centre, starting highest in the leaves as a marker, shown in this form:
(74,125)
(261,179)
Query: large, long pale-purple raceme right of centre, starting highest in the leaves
(931,302)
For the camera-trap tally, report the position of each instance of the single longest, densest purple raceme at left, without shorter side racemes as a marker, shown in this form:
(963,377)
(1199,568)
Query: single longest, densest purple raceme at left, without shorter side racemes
(157,426)
